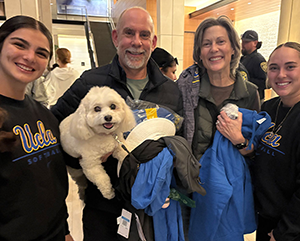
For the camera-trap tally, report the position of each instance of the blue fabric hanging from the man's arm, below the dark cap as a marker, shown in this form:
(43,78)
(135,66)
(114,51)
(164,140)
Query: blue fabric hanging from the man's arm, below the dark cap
(149,192)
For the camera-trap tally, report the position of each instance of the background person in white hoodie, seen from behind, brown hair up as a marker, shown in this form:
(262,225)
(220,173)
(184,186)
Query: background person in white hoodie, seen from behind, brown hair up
(60,78)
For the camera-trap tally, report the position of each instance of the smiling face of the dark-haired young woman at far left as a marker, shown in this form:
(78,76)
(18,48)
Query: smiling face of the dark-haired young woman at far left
(23,59)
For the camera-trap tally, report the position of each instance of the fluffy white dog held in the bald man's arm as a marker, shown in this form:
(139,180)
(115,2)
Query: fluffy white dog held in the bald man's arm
(90,133)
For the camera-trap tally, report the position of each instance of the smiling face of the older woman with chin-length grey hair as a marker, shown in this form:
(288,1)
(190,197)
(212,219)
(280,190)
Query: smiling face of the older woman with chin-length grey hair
(216,50)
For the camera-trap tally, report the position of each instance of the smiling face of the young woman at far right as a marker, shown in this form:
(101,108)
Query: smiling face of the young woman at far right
(284,74)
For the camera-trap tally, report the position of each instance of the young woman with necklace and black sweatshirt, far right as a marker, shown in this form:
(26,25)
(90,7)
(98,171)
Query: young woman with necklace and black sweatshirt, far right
(277,161)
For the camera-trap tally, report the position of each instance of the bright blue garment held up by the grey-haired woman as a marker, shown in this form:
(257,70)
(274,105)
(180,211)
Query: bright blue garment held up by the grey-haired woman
(226,213)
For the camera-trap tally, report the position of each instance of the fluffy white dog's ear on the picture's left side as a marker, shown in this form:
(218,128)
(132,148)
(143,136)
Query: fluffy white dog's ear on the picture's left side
(79,127)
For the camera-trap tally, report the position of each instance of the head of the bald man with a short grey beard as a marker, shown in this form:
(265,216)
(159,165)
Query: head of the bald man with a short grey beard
(134,39)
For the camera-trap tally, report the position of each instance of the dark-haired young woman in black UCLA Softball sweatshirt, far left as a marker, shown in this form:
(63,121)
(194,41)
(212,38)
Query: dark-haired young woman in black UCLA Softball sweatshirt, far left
(33,177)
